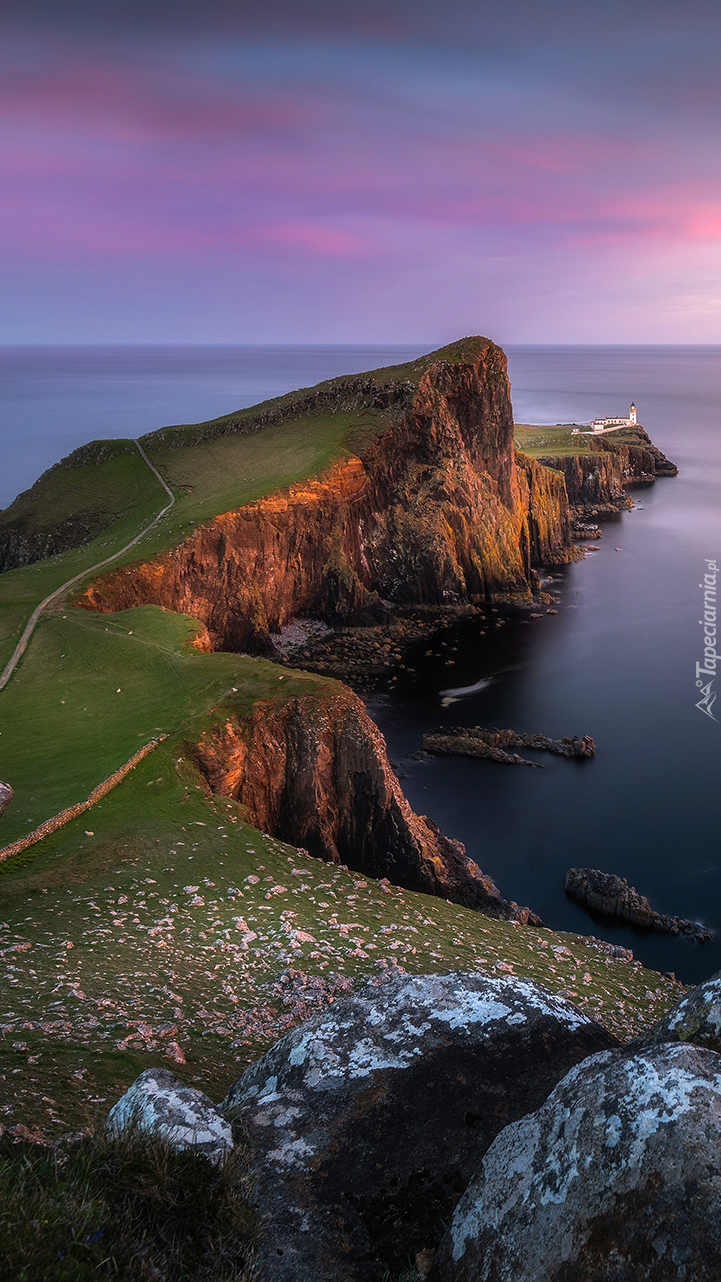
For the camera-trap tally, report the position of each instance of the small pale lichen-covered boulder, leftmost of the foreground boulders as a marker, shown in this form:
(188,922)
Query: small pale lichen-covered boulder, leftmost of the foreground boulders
(160,1104)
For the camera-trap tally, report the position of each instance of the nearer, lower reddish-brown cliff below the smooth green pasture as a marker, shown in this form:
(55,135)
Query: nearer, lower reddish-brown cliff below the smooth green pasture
(315,772)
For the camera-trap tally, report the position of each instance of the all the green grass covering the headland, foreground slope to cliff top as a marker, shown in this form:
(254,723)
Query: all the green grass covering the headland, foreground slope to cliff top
(162,916)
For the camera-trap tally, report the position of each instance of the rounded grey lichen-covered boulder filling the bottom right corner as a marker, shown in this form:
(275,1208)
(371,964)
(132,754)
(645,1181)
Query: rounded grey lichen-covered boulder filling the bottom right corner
(615,1179)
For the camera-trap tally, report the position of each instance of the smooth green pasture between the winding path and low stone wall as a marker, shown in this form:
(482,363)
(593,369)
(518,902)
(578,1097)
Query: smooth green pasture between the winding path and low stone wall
(94,688)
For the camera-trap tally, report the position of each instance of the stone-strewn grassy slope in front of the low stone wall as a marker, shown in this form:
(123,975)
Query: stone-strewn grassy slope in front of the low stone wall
(164,917)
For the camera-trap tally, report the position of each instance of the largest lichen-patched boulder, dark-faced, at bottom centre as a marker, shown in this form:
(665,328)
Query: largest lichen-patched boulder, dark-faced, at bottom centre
(369,1121)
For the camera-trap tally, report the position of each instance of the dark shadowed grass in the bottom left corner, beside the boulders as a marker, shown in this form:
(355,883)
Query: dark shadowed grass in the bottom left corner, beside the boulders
(123,1208)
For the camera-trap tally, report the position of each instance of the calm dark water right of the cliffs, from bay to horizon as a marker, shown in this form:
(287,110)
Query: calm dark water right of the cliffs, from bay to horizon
(618,662)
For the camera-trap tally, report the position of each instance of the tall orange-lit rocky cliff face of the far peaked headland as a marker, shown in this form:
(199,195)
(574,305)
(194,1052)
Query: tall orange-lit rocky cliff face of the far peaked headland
(437,511)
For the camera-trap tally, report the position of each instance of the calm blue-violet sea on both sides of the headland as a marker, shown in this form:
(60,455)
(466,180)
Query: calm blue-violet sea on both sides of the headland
(618,662)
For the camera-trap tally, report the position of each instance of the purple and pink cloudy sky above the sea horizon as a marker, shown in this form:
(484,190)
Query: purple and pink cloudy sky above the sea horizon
(389,171)
